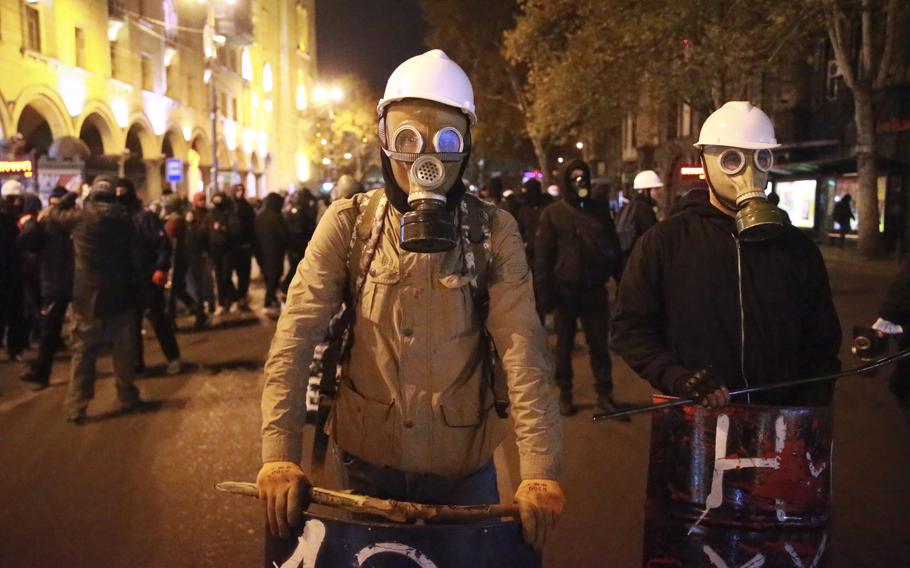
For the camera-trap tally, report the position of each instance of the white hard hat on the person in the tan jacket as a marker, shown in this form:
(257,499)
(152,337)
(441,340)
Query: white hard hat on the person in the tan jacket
(430,76)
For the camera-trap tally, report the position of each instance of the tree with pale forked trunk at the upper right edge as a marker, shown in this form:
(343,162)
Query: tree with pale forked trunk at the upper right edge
(865,75)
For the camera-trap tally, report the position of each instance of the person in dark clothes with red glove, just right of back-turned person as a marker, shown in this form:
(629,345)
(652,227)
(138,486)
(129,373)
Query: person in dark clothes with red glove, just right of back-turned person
(155,253)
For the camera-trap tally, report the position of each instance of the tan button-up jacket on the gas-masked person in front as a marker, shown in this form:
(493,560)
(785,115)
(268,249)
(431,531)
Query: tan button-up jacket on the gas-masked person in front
(412,395)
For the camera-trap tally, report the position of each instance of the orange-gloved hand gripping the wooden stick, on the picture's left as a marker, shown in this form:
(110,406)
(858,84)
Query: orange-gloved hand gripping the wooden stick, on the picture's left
(285,493)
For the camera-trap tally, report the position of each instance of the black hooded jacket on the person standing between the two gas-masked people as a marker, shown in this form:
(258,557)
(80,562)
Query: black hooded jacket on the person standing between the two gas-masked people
(576,243)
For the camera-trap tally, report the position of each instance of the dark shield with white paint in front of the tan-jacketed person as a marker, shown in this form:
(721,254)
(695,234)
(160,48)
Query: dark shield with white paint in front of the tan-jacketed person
(326,542)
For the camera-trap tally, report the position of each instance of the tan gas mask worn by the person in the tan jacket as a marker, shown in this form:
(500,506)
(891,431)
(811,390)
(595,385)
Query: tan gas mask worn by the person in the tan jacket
(426,144)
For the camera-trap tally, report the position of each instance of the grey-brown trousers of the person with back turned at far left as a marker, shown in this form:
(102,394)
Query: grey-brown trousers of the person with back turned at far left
(89,336)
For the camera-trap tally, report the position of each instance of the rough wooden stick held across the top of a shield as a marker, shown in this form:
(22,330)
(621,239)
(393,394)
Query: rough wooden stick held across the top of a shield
(398,511)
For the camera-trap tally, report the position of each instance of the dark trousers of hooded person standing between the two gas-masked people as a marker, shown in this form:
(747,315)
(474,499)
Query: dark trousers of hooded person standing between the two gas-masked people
(591,306)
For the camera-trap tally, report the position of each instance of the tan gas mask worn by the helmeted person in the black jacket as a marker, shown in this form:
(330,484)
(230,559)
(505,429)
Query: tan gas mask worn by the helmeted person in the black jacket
(738,177)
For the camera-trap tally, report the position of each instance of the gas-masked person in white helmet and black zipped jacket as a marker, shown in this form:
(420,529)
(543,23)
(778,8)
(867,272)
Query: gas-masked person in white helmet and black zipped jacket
(726,294)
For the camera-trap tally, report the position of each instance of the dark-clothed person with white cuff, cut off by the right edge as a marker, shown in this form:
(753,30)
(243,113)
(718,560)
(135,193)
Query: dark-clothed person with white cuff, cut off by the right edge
(894,319)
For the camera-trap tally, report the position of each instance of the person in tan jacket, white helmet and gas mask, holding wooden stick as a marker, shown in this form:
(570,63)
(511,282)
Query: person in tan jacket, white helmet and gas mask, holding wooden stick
(415,417)
